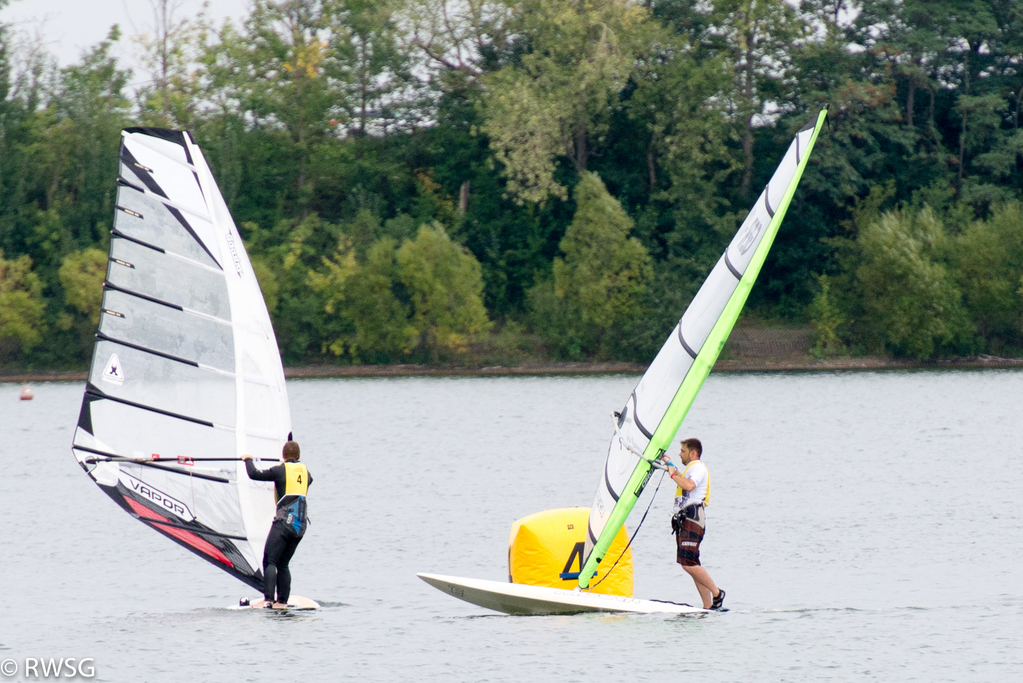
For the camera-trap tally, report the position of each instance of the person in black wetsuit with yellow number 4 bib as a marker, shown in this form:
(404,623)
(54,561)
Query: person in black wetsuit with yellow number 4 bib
(292,480)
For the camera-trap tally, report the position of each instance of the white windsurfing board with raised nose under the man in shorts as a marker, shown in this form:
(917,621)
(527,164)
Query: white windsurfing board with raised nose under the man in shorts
(524,600)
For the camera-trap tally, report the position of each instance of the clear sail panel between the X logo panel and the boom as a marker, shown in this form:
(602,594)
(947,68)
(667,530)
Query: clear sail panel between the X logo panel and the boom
(135,433)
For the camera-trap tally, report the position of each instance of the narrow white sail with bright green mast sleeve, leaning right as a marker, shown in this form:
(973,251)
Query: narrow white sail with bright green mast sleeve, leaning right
(654,414)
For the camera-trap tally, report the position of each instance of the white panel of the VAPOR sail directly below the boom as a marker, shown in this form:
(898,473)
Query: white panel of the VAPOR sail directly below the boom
(213,505)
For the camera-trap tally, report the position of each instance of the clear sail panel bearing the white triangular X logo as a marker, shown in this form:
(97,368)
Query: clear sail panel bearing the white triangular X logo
(164,385)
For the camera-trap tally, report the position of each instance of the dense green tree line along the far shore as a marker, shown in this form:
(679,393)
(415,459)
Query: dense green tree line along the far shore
(499,180)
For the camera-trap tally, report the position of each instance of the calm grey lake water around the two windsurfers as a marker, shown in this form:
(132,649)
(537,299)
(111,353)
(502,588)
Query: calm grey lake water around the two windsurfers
(866,527)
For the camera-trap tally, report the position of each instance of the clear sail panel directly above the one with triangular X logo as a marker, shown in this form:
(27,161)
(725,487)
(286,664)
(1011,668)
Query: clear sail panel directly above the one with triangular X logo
(168,331)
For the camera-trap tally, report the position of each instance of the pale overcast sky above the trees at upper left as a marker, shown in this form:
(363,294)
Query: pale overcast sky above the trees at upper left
(70,27)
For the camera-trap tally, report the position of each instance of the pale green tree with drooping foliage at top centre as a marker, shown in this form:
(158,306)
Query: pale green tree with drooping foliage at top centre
(555,101)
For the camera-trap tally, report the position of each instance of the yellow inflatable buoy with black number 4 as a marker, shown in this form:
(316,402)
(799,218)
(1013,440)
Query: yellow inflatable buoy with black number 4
(547,550)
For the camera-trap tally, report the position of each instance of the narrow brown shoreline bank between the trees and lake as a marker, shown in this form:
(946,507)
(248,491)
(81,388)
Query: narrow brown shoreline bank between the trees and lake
(803,365)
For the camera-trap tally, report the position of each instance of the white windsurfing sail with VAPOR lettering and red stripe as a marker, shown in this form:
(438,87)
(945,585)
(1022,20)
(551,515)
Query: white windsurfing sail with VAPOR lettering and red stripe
(186,375)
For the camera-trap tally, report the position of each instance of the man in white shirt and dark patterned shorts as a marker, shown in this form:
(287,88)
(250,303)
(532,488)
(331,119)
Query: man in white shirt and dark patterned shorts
(689,520)
